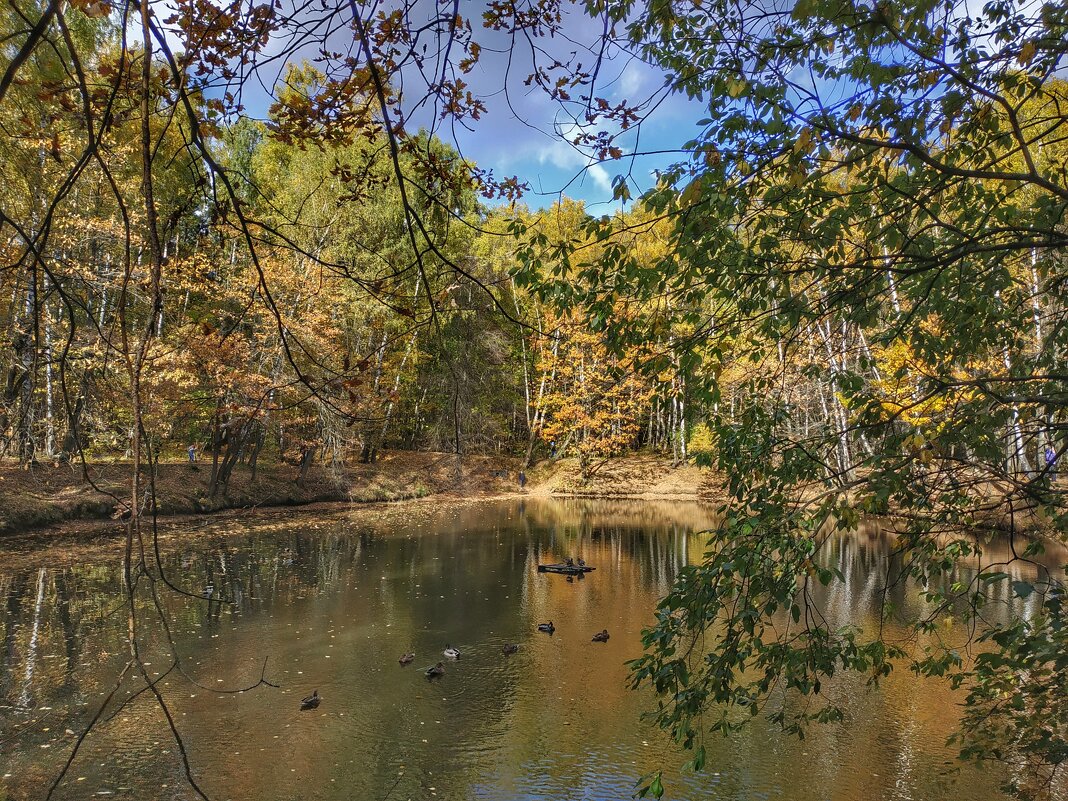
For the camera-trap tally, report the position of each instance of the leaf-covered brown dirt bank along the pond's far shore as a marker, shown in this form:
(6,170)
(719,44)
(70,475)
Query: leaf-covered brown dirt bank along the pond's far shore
(52,496)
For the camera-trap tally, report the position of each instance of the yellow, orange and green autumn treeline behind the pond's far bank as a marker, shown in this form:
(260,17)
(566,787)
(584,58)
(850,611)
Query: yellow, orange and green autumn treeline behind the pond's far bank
(335,342)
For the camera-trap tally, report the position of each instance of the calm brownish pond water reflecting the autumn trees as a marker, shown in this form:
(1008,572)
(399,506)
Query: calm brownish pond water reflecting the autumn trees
(333,602)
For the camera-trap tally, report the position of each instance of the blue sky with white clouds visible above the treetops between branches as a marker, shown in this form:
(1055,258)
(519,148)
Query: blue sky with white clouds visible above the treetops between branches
(524,133)
